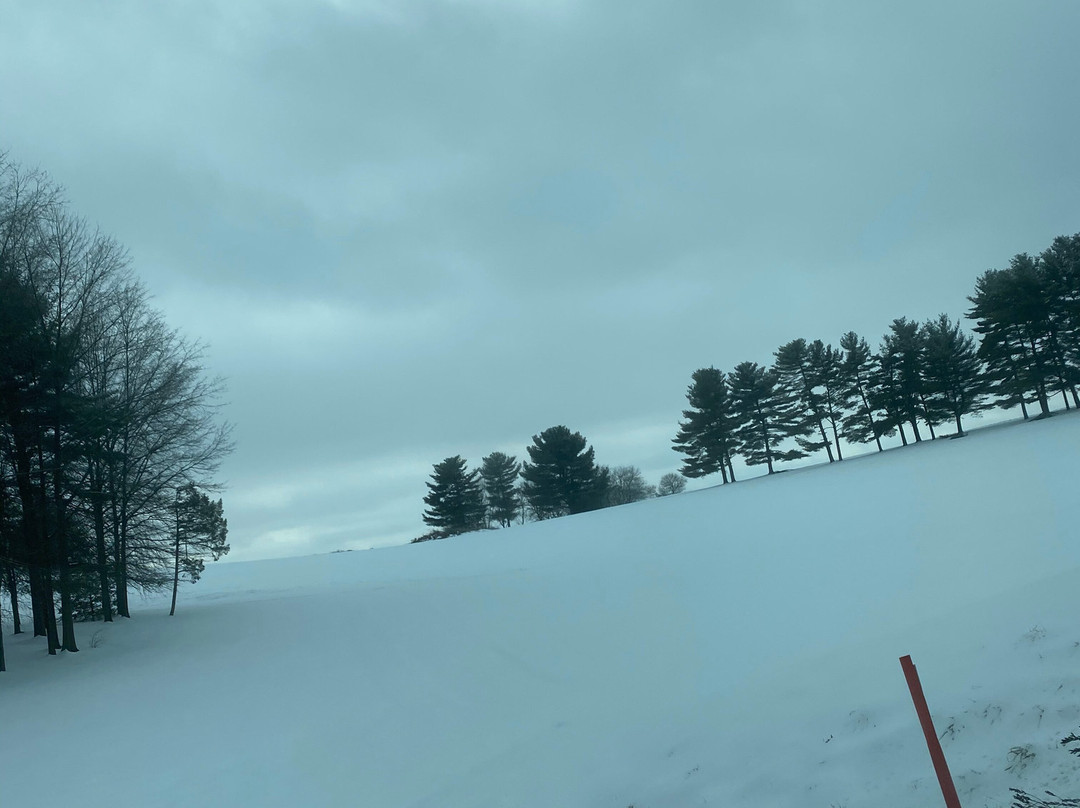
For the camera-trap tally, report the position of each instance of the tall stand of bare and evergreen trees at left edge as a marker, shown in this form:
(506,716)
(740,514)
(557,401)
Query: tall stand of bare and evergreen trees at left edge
(110,432)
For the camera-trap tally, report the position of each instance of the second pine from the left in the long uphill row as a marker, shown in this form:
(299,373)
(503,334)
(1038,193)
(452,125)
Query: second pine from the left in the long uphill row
(765,416)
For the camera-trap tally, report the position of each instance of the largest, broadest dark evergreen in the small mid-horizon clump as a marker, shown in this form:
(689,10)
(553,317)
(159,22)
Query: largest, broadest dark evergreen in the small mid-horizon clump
(562,477)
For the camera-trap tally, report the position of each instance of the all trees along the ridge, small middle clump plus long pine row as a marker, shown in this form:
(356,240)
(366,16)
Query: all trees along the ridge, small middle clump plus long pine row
(813,398)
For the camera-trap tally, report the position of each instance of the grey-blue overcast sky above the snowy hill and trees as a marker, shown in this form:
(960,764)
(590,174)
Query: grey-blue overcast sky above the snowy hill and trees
(410,230)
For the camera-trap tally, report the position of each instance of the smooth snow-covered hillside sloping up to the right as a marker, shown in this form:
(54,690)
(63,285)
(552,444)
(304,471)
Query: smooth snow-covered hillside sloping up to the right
(734,647)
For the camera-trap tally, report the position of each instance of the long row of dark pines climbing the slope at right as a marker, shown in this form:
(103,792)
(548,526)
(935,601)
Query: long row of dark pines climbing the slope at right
(922,376)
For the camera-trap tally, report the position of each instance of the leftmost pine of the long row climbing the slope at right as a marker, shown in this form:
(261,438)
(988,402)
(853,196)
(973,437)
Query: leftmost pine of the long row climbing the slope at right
(706,436)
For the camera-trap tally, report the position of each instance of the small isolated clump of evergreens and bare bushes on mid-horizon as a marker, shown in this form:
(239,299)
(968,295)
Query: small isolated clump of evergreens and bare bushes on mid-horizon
(560,478)
